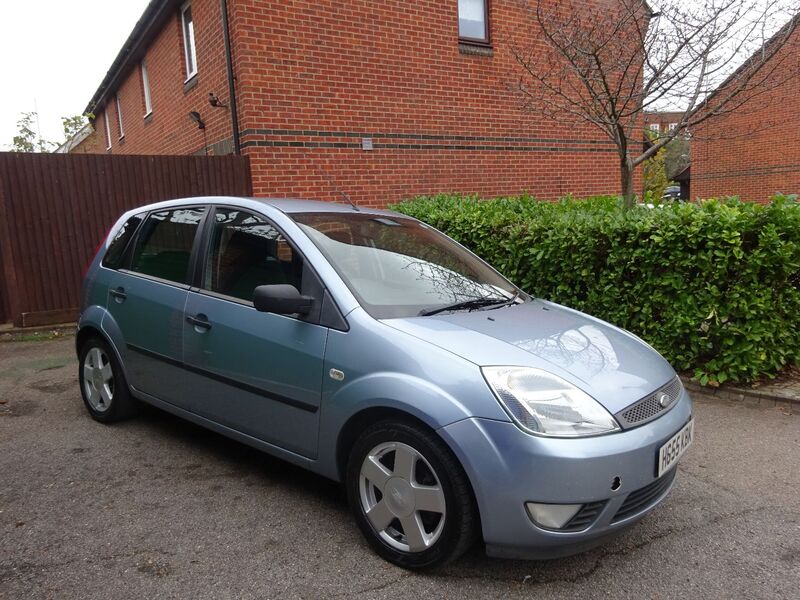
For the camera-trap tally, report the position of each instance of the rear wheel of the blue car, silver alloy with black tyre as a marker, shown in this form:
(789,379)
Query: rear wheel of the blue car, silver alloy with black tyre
(103,387)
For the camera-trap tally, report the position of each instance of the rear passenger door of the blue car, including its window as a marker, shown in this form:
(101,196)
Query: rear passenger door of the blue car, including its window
(147,298)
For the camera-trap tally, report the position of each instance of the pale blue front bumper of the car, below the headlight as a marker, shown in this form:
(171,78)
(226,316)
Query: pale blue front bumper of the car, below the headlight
(508,467)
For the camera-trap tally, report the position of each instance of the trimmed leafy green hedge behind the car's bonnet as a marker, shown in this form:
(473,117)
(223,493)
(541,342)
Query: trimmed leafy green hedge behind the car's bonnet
(714,286)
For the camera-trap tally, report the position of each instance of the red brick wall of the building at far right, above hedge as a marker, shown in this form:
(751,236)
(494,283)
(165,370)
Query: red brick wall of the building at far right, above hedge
(753,152)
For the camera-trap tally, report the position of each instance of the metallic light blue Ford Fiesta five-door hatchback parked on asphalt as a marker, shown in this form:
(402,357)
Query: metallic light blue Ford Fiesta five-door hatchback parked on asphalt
(370,348)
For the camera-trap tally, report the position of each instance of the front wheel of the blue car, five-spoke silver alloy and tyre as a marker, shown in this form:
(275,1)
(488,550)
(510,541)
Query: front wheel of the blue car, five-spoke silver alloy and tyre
(410,496)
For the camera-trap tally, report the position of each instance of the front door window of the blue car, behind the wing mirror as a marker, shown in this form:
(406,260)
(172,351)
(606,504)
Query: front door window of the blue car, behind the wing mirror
(245,252)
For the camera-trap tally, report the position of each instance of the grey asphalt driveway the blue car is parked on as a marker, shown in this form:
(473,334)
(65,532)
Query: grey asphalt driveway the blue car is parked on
(159,508)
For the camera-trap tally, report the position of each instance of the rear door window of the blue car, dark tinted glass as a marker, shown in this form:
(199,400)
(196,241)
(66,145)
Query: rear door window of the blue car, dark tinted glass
(164,246)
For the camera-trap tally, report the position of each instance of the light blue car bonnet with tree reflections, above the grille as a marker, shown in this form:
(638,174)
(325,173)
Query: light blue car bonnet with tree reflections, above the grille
(613,366)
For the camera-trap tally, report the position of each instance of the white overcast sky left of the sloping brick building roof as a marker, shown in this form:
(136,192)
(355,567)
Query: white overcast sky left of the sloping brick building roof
(54,54)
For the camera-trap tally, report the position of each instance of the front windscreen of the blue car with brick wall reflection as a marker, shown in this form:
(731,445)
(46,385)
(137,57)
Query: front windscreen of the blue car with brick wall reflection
(399,267)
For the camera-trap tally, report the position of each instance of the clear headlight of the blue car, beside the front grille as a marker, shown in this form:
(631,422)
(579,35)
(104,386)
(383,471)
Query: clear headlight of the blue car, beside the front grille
(545,404)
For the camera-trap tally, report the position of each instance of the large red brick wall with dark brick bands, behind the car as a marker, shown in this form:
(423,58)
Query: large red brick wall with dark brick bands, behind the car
(328,73)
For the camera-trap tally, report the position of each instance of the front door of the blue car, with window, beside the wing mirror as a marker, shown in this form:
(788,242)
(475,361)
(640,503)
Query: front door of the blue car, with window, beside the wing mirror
(258,373)
